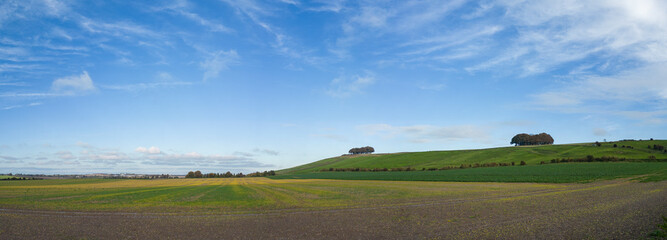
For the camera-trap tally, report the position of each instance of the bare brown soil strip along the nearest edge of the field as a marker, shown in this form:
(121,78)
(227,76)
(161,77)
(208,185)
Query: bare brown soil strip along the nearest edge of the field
(618,209)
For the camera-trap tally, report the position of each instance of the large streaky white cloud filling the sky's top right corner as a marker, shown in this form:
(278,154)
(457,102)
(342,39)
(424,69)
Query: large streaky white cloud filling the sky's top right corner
(552,33)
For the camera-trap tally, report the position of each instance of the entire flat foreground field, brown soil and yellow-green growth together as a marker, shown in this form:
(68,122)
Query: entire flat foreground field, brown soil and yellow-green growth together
(299,208)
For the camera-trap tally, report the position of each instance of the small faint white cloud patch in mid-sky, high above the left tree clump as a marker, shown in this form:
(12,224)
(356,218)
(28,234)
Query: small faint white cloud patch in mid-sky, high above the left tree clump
(345,86)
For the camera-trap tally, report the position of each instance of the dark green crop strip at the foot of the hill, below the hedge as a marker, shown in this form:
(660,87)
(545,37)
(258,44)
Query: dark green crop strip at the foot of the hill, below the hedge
(549,173)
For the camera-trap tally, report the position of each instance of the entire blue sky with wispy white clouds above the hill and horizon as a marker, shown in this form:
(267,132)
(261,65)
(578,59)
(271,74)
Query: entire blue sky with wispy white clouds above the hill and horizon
(173,86)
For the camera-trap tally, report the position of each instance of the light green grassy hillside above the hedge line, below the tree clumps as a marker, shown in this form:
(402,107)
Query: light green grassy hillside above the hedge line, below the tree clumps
(529,154)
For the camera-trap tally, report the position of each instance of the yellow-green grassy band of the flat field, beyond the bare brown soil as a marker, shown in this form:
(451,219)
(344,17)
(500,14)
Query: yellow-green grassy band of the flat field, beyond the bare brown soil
(221,195)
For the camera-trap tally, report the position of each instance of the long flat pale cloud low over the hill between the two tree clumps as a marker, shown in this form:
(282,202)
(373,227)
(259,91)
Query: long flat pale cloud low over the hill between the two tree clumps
(428,133)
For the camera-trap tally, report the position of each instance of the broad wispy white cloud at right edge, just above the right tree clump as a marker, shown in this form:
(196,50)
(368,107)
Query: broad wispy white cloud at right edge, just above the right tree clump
(616,95)
